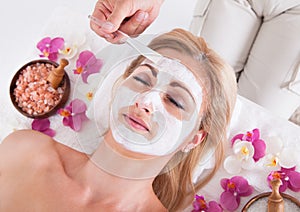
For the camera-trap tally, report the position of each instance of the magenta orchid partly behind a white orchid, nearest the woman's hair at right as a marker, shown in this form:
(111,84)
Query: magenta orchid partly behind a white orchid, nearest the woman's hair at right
(258,144)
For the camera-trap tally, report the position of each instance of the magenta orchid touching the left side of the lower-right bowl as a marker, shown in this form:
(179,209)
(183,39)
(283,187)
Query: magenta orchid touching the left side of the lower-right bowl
(235,188)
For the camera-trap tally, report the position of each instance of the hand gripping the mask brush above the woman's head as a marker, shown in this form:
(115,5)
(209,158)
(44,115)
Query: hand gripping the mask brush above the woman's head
(129,16)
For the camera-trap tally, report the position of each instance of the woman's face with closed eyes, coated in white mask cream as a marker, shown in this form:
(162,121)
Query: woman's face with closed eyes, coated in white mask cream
(156,108)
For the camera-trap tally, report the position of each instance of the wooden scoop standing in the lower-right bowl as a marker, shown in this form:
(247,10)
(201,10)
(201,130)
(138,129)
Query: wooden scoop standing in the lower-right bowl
(275,200)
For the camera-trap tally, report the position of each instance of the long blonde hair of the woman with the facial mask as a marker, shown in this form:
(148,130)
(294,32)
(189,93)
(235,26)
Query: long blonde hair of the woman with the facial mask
(174,187)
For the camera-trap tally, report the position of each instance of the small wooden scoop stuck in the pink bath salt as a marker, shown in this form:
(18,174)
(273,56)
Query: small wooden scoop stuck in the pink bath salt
(56,75)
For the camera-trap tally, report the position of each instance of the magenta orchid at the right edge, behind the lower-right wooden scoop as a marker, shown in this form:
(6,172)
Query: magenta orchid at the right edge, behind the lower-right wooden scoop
(289,178)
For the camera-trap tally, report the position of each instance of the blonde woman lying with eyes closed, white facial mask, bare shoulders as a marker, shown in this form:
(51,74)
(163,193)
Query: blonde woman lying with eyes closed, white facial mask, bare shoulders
(156,137)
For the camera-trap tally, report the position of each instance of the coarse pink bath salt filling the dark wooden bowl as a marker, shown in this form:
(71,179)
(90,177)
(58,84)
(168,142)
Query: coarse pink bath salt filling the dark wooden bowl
(32,93)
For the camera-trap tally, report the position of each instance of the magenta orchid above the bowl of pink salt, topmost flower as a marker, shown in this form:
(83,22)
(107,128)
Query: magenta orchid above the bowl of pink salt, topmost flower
(50,47)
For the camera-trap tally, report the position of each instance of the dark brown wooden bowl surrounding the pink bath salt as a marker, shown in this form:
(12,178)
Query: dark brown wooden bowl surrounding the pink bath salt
(65,85)
